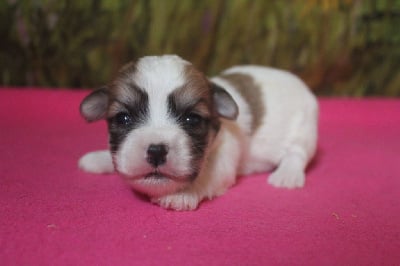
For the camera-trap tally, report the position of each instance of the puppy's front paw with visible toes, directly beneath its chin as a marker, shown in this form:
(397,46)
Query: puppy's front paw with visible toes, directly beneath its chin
(183,201)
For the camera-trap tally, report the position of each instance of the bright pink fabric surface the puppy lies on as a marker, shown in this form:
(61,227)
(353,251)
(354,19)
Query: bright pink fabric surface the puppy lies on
(53,214)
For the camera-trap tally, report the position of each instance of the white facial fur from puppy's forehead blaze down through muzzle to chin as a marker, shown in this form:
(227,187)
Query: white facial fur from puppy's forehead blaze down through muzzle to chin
(160,78)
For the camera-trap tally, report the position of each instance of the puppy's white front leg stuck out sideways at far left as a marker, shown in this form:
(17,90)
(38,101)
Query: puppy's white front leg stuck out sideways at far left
(98,162)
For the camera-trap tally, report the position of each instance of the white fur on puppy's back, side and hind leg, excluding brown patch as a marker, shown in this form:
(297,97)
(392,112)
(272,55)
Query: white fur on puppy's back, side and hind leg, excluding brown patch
(289,128)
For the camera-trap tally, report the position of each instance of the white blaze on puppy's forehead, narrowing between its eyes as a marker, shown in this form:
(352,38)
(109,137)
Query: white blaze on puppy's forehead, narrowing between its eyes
(159,76)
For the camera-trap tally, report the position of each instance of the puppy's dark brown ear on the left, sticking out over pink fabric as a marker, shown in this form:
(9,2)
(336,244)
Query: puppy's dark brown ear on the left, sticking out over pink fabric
(94,106)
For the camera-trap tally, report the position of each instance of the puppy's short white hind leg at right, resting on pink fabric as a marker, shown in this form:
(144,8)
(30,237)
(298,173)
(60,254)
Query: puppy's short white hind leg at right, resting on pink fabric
(291,170)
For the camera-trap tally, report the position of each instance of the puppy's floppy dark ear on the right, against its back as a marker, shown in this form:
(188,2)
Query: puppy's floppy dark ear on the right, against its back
(224,104)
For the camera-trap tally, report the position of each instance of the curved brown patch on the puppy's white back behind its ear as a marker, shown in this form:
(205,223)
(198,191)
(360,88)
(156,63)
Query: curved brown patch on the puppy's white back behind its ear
(251,93)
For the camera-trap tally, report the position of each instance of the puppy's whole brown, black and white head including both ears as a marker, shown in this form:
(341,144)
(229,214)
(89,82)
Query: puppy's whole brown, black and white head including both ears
(162,116)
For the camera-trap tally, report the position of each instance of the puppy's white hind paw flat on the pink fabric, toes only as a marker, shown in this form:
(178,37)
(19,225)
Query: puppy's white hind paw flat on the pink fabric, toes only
(287,179)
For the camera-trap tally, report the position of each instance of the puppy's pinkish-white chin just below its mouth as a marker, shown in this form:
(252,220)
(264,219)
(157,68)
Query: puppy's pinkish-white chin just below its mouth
(156,184)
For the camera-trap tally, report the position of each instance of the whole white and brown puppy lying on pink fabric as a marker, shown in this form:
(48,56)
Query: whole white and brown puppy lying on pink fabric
(179,137)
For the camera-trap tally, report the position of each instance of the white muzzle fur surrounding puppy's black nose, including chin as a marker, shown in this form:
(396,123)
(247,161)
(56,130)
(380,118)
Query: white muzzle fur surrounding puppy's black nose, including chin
(131,162)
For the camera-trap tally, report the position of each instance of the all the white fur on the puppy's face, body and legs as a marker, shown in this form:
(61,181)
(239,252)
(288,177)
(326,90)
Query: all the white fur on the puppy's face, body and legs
(286,139)
